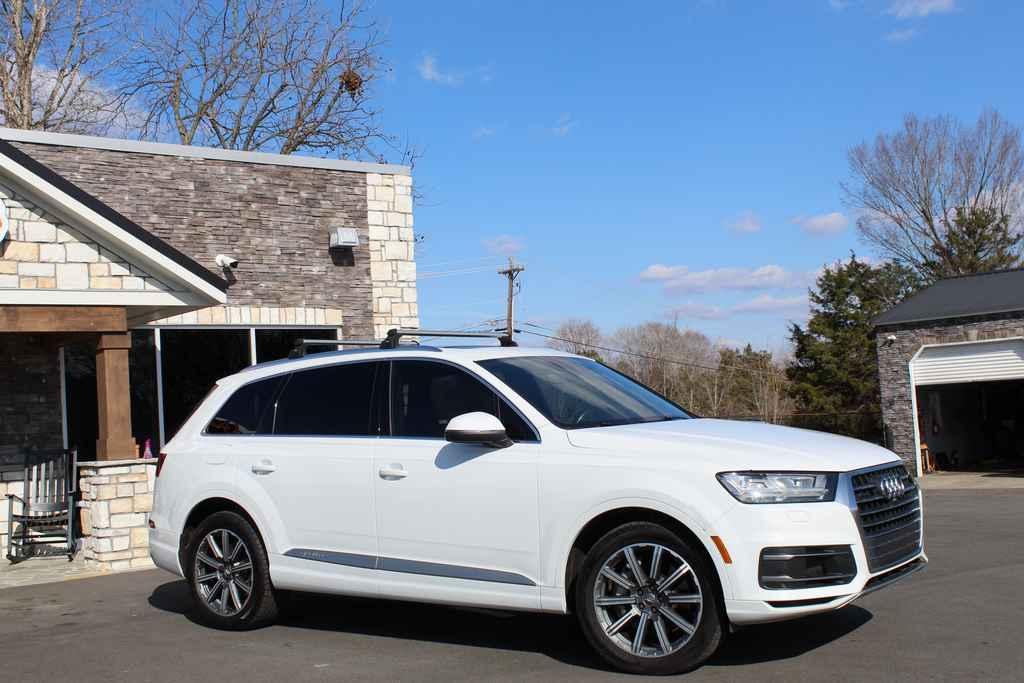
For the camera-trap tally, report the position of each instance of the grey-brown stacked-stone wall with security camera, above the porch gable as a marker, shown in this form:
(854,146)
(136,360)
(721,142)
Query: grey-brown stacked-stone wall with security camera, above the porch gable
(275,220)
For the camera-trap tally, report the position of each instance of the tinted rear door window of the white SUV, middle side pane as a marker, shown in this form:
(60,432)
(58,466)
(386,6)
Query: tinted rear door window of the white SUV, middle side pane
(336,401)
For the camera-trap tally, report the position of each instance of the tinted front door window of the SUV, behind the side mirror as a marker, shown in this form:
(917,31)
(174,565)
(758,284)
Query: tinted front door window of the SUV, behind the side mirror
(426,396)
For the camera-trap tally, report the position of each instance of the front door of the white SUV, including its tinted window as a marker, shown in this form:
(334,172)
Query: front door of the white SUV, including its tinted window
(457,521)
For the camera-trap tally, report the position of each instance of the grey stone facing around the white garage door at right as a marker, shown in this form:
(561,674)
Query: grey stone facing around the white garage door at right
(894,366)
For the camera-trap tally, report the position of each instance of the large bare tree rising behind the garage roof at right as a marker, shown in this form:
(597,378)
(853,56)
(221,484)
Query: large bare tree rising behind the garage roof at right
(937,180)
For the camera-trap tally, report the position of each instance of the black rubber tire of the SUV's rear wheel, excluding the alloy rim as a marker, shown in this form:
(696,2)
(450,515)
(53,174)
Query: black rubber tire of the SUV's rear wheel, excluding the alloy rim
(260,609)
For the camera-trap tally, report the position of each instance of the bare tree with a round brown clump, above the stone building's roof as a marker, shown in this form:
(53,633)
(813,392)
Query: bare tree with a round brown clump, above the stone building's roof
(263,75)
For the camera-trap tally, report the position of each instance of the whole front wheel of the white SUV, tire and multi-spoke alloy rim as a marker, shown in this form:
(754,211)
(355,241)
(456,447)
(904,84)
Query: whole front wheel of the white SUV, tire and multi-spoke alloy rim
(647,602)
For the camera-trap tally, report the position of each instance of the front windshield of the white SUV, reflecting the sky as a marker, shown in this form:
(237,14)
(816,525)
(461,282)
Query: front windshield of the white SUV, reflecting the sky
(576,394)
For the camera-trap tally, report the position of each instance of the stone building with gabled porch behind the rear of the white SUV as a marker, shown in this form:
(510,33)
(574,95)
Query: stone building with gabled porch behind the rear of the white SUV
(117,310)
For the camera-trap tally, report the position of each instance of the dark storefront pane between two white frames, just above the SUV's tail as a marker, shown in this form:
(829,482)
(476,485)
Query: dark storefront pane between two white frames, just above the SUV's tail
(193,361)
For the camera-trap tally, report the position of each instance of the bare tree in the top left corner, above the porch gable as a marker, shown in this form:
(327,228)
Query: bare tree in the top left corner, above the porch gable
(57,57)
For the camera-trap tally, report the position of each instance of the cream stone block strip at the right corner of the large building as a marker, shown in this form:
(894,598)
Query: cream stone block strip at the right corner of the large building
(393,263)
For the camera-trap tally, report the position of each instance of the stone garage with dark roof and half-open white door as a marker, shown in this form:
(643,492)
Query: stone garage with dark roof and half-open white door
(952,374)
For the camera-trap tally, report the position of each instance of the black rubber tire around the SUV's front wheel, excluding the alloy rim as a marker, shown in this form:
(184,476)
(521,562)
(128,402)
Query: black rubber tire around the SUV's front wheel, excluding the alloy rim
(706,637)
